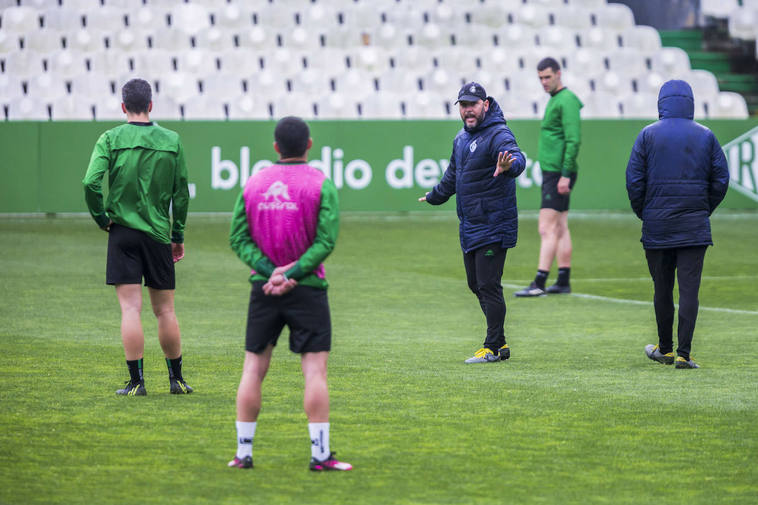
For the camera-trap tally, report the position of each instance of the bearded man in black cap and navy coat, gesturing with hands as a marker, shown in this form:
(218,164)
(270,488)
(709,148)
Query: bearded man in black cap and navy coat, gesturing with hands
(482,171)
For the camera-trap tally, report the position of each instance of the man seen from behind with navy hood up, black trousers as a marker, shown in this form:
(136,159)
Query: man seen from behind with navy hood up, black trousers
(676,177)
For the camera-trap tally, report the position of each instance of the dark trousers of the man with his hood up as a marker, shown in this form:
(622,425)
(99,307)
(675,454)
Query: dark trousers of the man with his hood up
(687,262)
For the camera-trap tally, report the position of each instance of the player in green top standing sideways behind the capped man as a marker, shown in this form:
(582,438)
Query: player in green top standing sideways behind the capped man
(558,147)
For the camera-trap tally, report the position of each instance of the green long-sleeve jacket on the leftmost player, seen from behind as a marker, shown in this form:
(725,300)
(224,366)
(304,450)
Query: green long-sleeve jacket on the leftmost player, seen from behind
(147,180)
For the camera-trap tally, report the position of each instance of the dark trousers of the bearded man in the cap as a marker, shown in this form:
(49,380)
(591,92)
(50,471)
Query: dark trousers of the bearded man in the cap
(484,270)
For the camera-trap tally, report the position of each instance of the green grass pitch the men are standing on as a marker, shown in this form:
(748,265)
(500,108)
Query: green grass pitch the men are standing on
(577,416)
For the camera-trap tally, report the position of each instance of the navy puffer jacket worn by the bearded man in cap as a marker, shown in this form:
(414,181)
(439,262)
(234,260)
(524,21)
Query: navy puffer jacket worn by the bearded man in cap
(486,205)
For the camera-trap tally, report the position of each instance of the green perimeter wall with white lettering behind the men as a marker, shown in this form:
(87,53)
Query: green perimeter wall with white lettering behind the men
(377,165)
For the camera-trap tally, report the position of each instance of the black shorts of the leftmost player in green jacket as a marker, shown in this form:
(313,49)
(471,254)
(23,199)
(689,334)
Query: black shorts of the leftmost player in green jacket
(133,254)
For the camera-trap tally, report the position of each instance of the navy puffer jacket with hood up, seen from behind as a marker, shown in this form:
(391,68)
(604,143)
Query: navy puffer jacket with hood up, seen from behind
(677,174)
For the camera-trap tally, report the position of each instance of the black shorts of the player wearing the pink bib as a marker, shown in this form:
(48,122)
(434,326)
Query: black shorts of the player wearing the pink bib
(305,310)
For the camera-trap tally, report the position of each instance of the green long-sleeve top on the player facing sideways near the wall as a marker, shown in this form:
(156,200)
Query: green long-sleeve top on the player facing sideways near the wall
(560,133)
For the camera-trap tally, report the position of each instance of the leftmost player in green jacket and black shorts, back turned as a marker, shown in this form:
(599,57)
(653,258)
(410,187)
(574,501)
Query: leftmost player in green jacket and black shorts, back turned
(147,183)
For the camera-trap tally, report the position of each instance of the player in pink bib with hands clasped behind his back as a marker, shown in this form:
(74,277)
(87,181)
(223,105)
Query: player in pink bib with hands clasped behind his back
(285,224)
